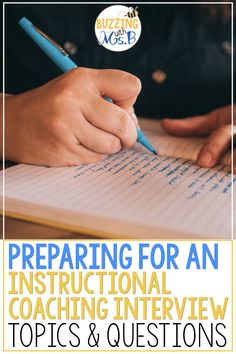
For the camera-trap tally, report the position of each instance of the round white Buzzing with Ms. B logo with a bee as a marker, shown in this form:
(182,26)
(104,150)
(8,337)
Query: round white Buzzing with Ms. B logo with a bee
(118,28)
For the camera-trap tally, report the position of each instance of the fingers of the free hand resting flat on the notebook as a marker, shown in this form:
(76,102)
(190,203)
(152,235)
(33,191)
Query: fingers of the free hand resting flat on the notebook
(216,124)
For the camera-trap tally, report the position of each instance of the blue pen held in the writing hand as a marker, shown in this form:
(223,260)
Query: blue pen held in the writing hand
(59,56)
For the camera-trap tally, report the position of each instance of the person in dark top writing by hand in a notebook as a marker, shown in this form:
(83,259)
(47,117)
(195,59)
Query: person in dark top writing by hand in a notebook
(65,121)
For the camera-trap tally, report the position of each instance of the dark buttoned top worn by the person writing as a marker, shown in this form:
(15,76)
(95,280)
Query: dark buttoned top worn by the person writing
(193,52)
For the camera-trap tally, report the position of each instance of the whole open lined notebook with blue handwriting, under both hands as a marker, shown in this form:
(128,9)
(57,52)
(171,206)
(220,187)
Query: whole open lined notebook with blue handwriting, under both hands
(131,194)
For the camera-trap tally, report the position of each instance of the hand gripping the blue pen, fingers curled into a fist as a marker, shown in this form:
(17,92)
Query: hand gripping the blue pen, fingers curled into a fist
(67,121)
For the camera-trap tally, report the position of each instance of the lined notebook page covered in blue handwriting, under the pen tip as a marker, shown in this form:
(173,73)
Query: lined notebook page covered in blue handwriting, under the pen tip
(135,187)
